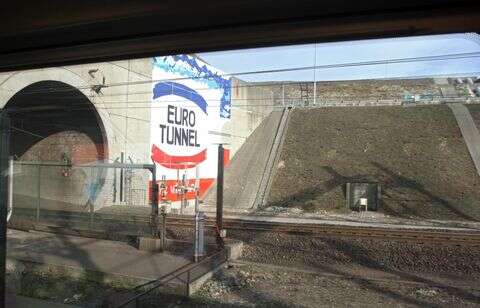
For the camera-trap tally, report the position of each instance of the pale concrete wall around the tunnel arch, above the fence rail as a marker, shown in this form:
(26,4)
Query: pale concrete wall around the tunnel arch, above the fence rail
(126,128)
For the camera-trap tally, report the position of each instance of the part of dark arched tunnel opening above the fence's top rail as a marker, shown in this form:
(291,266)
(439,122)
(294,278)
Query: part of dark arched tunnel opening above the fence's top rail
(52,121)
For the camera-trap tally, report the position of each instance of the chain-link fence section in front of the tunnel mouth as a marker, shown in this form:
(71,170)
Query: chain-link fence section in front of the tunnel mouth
(102,198)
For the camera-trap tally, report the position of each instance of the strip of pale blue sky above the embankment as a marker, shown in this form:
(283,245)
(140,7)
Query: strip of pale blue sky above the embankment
(287,57)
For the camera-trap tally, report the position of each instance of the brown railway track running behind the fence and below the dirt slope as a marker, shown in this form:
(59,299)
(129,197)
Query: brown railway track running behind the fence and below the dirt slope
(131,224)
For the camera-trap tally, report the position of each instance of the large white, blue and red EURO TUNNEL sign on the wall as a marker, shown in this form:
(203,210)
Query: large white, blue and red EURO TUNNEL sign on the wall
(191,104)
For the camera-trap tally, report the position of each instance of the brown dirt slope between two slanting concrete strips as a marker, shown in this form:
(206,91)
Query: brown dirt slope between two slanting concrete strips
(417,154)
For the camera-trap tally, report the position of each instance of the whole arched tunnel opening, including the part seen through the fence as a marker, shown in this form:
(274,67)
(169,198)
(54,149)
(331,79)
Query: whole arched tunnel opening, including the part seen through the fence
(55,126)
